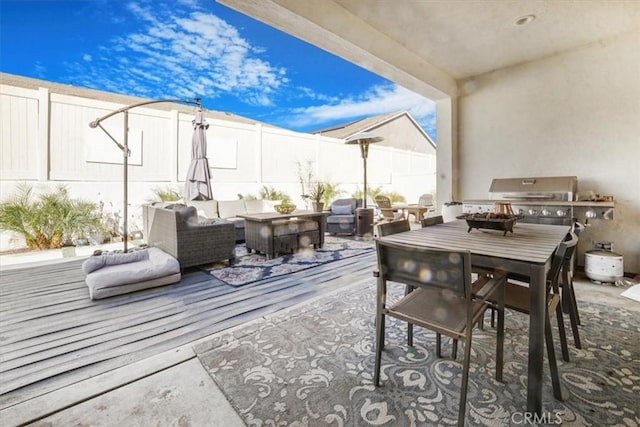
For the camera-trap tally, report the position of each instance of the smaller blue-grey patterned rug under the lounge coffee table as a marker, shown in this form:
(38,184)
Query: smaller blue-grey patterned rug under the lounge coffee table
(252,267)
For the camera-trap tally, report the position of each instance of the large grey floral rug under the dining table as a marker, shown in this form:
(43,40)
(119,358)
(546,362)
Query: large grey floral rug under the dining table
(313,365)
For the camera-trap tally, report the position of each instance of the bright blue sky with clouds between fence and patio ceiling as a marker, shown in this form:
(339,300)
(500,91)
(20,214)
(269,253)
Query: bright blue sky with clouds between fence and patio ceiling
(187,48)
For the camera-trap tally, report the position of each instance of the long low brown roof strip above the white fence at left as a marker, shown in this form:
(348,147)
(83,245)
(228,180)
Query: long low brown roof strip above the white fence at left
(64,89)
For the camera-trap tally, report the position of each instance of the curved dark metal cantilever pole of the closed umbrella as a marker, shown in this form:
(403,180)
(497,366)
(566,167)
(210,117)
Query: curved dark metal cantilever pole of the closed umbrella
(126,152)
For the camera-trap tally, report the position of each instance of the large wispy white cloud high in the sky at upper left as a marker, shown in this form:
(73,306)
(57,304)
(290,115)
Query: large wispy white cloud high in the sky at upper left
(190,53)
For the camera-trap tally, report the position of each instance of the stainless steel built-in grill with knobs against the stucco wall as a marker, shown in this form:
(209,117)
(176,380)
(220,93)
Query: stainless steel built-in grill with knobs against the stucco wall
(542,200)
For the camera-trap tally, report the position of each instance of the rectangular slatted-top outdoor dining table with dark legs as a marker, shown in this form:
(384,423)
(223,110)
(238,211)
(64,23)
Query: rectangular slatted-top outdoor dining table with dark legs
(527,251)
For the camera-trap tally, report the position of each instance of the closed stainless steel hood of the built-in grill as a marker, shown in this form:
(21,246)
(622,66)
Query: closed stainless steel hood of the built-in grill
(534,188)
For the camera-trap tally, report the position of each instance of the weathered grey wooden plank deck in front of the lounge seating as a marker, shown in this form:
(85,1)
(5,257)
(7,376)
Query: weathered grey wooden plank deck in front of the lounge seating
(52,335)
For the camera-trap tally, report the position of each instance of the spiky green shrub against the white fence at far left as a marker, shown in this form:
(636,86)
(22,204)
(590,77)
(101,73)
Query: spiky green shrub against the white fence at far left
(50,219)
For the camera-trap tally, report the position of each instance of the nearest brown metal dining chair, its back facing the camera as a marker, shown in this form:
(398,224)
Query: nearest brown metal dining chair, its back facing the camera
(441,302)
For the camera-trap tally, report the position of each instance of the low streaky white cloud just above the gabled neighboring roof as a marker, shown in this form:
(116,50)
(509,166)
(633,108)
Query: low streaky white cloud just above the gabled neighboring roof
(379,99)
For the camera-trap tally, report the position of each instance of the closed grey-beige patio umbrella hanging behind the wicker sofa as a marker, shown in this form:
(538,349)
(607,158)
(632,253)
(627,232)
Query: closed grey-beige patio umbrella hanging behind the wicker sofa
(198,182)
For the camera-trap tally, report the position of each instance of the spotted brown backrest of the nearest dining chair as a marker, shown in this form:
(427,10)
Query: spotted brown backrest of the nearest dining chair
(424,267)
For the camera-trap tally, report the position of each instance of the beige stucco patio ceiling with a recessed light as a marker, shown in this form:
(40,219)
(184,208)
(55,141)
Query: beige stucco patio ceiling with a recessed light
(429,46)
